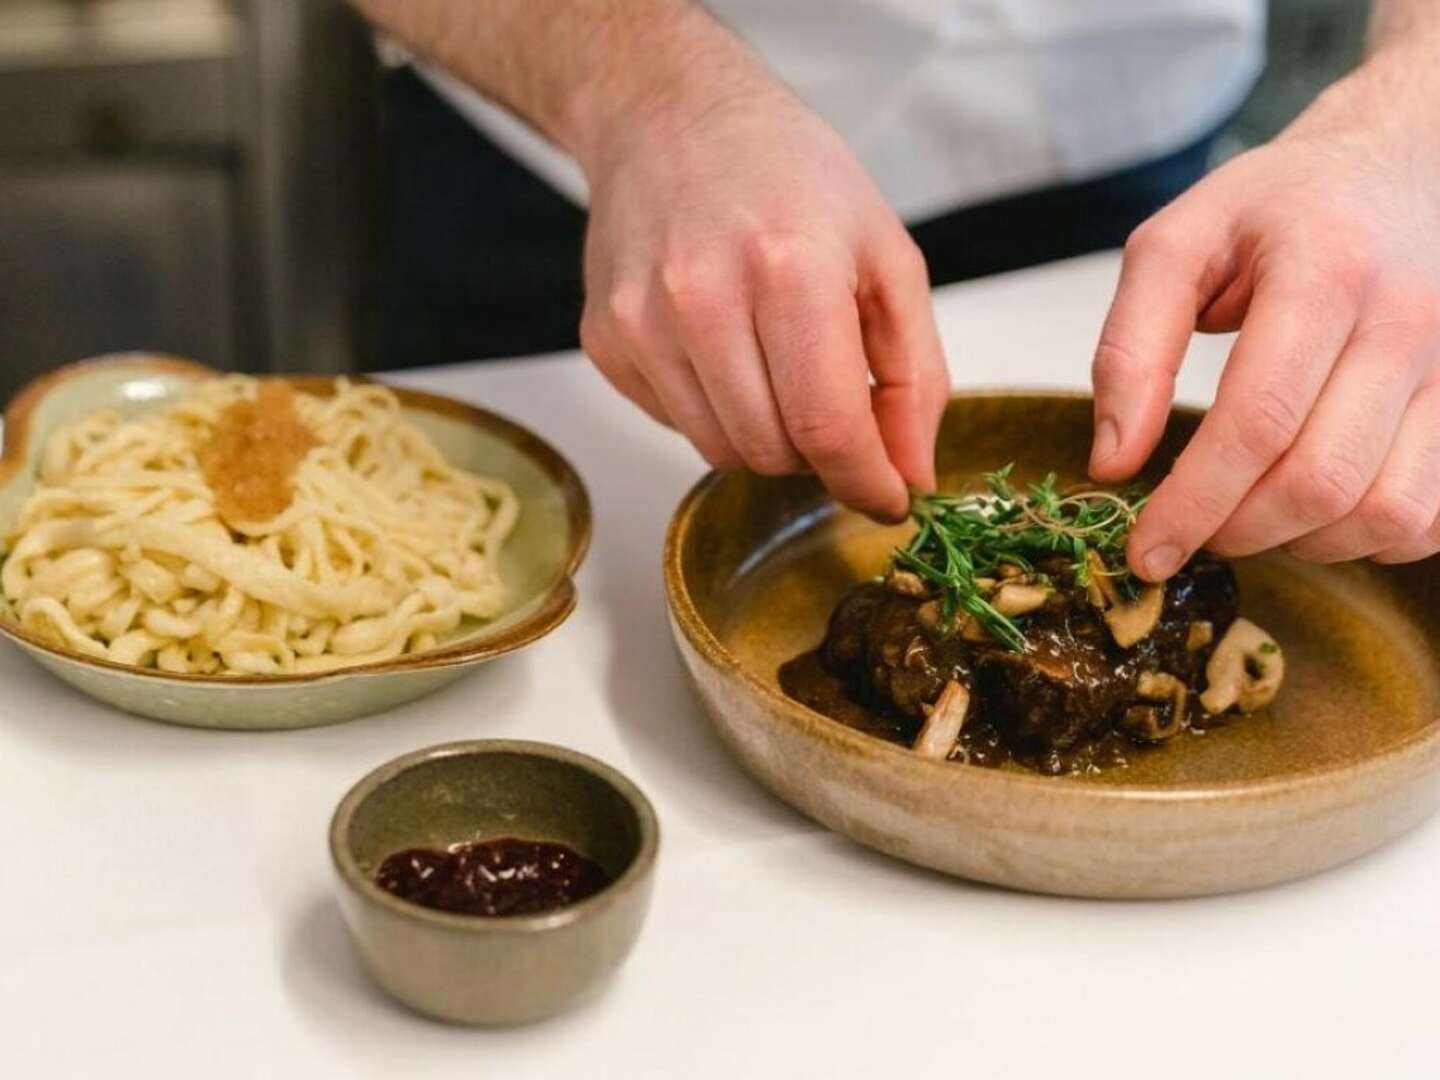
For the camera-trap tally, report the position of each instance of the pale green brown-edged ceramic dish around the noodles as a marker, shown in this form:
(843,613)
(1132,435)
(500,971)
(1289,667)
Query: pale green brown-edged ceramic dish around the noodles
(538,564)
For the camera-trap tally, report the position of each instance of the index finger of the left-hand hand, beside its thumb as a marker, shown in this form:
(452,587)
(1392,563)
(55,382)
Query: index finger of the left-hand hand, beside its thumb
(810,329)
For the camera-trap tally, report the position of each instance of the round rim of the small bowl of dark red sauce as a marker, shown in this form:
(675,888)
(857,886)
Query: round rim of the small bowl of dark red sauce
(634,876)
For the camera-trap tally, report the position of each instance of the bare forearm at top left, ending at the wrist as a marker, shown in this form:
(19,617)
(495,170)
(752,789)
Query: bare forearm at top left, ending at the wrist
(577,70)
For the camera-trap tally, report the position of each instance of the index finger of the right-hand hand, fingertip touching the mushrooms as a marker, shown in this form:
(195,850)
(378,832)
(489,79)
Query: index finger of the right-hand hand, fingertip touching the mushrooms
(1282,359)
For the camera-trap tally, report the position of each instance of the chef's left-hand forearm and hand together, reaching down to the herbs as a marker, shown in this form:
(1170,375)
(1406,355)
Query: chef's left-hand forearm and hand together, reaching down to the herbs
(745,283)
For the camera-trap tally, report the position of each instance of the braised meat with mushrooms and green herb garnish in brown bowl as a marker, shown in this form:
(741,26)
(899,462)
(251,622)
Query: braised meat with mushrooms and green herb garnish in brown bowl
(1012,629)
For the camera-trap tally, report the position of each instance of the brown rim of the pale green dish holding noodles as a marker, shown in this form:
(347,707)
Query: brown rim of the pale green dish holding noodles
(555,606)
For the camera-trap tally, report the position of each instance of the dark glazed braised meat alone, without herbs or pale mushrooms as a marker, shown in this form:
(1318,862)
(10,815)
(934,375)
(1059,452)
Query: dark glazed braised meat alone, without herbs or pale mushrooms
(1071,701)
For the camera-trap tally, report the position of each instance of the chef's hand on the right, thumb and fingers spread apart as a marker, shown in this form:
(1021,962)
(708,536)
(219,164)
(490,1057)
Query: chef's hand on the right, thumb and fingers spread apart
(1324,250)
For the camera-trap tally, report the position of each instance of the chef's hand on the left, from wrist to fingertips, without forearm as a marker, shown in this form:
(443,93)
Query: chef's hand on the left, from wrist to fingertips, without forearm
(748,286)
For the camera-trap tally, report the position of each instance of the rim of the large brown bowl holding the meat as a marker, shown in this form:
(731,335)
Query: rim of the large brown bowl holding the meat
(1036,788)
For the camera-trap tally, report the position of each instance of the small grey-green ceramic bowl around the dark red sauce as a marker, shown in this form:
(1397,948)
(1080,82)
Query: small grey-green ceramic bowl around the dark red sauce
(495,970)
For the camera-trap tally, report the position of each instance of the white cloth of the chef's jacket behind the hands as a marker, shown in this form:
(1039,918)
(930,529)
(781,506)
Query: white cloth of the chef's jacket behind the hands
(951,103)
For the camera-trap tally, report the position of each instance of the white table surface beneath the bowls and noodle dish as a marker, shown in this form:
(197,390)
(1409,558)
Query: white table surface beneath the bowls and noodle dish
(166,902)
